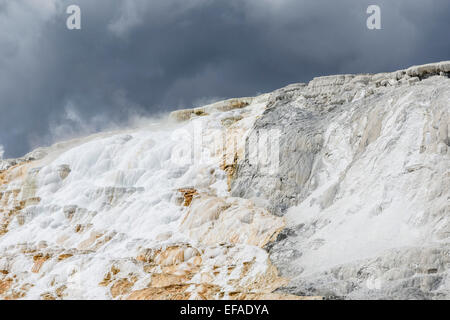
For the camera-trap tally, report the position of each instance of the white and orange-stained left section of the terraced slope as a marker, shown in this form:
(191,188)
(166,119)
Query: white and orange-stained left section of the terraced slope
(138,214)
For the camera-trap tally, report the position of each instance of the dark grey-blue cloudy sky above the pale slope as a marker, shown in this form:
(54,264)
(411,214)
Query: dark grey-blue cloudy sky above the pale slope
(144,57)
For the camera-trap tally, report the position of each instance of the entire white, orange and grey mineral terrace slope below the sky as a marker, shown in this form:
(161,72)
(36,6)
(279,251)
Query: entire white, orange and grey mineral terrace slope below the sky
(339,187)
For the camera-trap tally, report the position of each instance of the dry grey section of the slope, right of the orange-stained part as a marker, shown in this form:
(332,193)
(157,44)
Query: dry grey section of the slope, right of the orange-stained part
(363,183)
